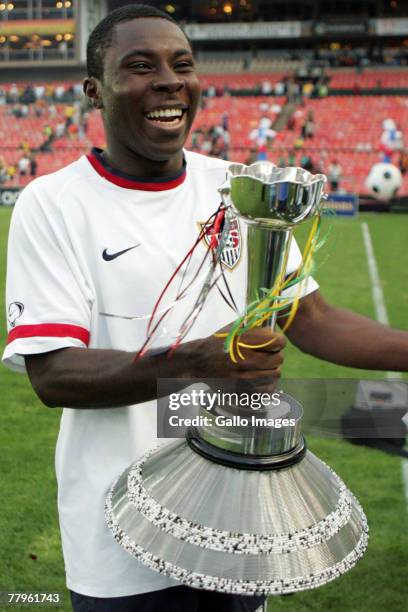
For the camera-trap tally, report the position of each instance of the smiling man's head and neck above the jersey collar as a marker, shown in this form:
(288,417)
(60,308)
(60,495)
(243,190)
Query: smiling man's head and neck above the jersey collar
(143,78)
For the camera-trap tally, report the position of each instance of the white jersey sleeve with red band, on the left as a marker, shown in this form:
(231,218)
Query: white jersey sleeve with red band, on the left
(48,302)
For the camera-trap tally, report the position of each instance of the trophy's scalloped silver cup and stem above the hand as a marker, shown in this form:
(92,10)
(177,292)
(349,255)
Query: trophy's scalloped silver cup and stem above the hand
(271,201)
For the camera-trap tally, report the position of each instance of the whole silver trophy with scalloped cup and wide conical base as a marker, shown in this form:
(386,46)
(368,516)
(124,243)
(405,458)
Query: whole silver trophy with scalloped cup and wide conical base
(246,510)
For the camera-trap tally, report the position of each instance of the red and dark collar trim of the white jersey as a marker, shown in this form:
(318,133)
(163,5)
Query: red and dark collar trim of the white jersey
(126,181)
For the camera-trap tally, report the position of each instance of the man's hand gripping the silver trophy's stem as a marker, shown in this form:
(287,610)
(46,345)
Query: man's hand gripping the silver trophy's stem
(207,359)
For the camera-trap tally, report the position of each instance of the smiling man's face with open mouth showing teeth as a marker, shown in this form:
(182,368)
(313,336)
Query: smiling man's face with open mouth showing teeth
(150,90)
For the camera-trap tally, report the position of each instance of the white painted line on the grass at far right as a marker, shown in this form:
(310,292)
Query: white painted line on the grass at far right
(382,317)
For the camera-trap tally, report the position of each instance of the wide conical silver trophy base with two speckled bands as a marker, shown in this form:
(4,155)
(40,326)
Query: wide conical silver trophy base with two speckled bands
(219,528)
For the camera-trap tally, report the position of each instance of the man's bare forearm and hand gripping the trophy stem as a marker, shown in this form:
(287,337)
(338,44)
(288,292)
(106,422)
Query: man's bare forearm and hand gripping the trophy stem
(99,378)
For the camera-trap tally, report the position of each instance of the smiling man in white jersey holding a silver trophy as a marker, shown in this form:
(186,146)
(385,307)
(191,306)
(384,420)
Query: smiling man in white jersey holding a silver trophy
(101,238)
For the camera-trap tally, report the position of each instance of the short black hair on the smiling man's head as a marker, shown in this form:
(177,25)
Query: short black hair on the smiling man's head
(101,36)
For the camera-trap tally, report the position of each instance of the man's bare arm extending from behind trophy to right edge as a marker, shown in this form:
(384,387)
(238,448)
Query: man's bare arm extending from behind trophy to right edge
(347,338)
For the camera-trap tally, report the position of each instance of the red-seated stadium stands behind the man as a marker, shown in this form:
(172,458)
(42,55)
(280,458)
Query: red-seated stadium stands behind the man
(346,127)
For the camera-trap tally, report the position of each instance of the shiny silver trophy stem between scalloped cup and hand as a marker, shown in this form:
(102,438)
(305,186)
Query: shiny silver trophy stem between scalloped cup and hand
(268,250)
